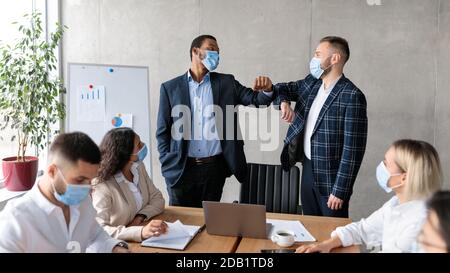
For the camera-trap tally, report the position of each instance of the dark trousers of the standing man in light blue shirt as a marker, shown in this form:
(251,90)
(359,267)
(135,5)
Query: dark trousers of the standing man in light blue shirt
(199,182)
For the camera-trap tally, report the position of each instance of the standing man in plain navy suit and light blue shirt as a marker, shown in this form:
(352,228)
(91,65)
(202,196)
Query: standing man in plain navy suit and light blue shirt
(196,163)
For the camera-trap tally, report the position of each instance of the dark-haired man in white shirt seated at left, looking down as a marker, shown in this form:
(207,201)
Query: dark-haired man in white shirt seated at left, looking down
(57,215)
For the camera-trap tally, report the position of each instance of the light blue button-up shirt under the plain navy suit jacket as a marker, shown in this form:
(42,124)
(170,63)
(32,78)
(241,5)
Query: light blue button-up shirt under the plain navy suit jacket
(205,140)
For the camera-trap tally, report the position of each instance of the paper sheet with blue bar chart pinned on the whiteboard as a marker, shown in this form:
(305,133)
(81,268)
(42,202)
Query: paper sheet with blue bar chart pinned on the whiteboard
(90,103)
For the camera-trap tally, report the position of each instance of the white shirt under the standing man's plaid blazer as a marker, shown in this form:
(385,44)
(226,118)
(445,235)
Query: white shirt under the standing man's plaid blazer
(313,115)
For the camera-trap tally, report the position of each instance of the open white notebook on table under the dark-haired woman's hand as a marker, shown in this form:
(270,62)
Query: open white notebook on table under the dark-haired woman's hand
(177,237)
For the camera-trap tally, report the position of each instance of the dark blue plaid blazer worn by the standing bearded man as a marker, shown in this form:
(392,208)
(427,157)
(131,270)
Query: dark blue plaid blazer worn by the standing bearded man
(339,138)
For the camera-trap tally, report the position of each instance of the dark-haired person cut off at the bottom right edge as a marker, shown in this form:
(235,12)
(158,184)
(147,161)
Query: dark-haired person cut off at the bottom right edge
(435,235)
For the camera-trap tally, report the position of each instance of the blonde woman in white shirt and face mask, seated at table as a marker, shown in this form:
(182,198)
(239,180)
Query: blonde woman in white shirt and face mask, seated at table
(411,169)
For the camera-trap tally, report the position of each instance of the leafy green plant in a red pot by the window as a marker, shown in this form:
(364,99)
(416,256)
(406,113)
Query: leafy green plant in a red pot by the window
(29,98)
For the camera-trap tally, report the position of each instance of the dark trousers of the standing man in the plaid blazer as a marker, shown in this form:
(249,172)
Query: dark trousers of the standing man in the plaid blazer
(314,203)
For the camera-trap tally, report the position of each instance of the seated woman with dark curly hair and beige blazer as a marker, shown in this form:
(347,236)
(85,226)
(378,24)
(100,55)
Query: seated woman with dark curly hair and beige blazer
(124,195)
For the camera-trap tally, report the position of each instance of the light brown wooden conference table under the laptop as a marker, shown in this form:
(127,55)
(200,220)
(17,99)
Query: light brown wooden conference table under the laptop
(319,227)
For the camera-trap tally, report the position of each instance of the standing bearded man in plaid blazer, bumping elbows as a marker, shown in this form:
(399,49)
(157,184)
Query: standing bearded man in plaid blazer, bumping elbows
(328,129)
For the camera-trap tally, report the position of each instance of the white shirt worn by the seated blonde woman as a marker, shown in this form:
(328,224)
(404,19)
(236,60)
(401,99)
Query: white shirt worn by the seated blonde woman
(394,227)
